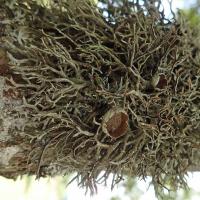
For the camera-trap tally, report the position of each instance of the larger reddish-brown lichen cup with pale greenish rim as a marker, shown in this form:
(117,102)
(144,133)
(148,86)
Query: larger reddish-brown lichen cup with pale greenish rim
(115,123)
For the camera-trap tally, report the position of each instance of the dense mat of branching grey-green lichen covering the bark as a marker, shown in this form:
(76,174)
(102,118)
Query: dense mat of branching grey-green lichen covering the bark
(113,89)
